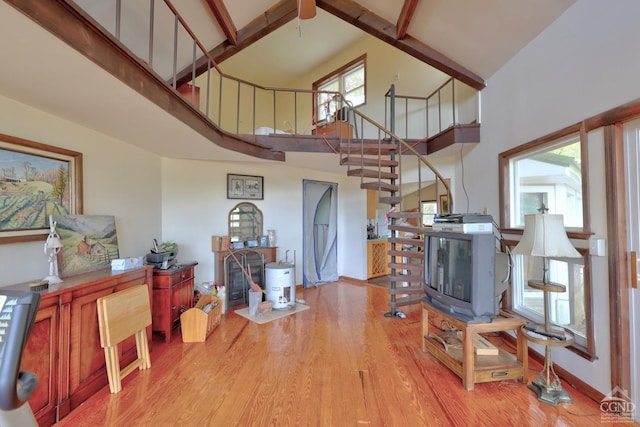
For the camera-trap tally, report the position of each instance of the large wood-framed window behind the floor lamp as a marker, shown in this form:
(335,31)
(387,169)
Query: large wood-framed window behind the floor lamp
(549,175)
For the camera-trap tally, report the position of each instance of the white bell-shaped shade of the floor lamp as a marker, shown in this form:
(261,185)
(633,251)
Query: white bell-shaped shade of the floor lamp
(544,236)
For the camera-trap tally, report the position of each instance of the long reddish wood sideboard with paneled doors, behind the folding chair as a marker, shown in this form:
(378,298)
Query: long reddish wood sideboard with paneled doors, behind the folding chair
(64,350)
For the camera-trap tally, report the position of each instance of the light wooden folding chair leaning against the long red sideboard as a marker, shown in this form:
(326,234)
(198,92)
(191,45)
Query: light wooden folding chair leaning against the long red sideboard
(121,315)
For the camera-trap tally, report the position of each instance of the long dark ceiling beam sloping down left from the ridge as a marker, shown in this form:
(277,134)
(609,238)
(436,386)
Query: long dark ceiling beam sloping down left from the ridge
(269,21)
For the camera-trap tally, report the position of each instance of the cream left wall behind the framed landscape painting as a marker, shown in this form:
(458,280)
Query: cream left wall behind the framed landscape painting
(117,181)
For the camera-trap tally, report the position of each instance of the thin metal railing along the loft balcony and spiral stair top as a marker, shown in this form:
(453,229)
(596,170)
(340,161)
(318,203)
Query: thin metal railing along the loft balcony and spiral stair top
(156,34)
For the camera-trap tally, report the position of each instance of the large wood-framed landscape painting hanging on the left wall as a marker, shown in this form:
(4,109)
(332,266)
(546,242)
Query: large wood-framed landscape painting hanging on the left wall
(36,181)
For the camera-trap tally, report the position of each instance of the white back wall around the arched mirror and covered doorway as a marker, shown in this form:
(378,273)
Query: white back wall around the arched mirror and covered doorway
(195,207)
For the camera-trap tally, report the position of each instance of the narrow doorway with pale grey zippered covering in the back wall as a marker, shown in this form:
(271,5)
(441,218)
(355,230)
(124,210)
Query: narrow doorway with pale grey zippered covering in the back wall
(320,232)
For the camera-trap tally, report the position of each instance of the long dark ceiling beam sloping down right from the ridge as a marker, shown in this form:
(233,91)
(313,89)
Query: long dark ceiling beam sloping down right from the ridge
(362,18)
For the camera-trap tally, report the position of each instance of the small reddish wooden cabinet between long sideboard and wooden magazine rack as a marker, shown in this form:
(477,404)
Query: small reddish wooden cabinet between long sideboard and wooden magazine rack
(172,296)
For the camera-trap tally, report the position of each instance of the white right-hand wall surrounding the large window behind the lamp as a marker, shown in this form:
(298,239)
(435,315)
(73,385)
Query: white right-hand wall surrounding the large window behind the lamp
(585,63)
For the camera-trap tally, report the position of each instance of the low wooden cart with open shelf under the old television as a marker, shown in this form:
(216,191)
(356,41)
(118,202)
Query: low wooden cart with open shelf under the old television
(464,362)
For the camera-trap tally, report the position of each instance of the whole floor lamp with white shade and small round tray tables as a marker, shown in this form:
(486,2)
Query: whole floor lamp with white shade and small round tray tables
(544,236)
